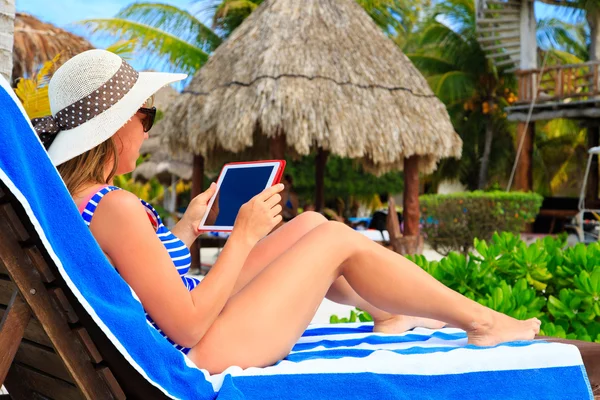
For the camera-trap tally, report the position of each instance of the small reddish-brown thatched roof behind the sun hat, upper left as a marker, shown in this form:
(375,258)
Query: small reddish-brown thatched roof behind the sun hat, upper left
(37,42)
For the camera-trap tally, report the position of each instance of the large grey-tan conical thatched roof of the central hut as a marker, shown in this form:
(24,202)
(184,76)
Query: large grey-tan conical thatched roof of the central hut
(321,73)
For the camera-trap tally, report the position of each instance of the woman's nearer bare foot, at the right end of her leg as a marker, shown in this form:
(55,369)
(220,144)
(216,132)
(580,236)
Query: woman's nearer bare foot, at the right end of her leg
(499,328)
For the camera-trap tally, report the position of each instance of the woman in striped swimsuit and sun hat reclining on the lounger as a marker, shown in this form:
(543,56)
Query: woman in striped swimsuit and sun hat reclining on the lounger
(264,289)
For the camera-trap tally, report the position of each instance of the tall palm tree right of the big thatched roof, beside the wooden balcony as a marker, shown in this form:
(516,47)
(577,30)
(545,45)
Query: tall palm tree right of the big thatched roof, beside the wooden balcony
(474,91)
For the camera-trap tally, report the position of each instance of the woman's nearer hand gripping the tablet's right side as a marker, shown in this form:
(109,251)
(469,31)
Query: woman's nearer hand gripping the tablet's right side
(257,218)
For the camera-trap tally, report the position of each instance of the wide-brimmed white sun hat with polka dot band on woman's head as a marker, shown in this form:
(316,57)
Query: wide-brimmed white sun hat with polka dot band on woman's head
(91,97)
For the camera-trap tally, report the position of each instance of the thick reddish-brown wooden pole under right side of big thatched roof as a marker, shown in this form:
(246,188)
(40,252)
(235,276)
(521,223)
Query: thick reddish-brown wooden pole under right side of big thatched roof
(411,213)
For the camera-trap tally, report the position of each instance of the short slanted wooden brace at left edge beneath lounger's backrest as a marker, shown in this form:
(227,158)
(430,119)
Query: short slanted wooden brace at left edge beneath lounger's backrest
(12,328)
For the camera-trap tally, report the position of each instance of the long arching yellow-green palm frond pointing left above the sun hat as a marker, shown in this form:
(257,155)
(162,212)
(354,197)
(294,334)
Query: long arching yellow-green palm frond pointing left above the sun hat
(161,49)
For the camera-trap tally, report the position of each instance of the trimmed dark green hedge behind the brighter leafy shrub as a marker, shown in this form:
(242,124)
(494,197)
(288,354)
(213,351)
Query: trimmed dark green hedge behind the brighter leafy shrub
(452,222)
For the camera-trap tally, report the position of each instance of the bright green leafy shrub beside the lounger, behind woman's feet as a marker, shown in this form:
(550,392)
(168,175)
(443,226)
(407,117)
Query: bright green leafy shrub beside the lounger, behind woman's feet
(560,285)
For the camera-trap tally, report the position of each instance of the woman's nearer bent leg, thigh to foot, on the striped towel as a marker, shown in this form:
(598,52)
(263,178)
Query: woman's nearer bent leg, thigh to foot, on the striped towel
(261,323)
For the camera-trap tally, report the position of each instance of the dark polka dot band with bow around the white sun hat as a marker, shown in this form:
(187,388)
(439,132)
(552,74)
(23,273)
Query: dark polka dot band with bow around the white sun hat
(88,107)
